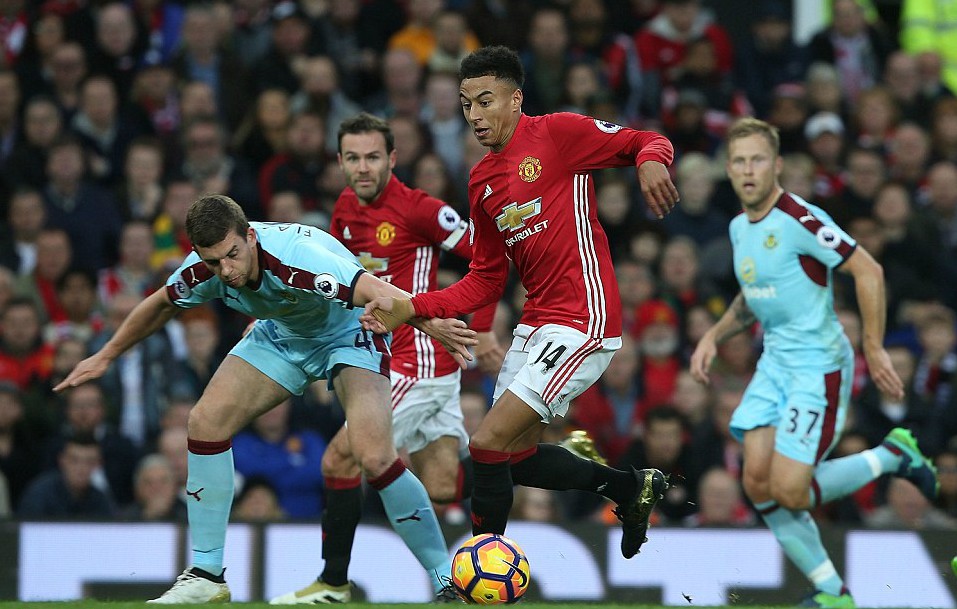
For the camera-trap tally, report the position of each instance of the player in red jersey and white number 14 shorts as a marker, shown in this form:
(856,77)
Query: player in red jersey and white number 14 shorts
(531,200)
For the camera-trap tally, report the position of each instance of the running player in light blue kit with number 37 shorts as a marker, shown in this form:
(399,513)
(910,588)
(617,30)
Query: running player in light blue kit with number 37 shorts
(793,411)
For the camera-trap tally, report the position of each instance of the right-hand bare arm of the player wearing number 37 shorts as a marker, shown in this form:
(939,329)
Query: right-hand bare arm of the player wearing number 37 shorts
(871,297)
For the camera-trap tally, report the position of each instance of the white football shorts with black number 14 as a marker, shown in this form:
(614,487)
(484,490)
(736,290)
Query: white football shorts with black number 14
(550,365)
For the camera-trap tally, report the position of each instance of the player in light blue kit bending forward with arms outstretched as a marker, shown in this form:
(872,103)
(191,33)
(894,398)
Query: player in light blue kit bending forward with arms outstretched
(306,290)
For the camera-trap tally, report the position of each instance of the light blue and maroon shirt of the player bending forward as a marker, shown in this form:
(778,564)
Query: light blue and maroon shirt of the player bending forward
(306,286)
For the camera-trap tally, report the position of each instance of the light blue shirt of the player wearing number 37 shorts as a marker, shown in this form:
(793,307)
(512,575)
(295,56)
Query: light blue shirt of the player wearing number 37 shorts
(784,264)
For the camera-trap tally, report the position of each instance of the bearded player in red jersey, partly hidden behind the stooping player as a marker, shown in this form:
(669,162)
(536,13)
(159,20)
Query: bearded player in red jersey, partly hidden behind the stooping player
(397,234)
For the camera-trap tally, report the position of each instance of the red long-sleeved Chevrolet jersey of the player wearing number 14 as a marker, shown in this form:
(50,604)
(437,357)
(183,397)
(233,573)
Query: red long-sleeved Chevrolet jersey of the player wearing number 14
(533,203)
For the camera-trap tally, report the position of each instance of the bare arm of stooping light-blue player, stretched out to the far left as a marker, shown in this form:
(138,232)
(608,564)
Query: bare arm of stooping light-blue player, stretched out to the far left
(146,318)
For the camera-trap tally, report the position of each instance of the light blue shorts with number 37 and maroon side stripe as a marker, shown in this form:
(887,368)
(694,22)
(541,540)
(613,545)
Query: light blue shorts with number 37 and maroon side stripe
(807,406)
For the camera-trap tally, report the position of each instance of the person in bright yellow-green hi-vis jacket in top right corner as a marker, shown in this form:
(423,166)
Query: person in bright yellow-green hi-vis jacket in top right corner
(926,31)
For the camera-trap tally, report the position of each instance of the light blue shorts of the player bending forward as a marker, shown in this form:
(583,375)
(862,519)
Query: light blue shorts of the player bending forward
(295,361)
